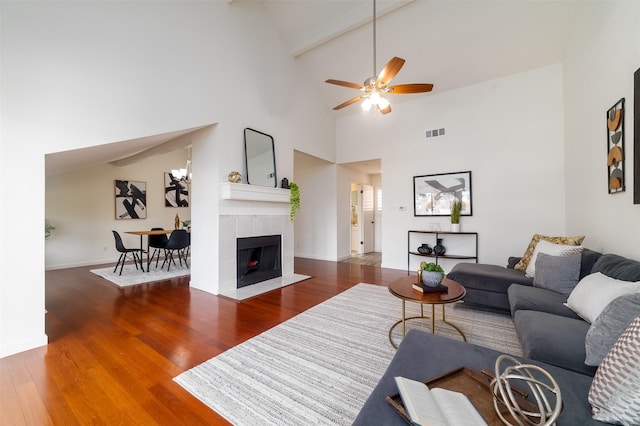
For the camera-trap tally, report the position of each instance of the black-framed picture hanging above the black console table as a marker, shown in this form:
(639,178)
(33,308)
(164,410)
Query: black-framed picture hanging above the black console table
(434,194)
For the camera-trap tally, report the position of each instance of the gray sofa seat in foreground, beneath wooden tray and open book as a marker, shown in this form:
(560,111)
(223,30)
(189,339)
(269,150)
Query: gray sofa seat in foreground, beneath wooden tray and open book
(422,356)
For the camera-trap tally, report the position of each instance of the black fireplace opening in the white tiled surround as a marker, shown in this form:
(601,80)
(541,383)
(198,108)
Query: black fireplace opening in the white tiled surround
(259,259)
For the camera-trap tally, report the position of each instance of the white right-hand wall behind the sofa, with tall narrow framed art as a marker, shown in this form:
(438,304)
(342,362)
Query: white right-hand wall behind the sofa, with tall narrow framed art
(601,59)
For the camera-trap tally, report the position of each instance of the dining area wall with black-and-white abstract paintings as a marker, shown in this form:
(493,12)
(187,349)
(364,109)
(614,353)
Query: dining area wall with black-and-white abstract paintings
(80,205)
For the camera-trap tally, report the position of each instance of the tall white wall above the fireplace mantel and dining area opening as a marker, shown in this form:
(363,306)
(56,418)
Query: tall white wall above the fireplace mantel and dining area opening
(80,74)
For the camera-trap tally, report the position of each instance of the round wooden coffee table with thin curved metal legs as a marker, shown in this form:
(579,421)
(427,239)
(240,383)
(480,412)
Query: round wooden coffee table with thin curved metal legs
(403,289)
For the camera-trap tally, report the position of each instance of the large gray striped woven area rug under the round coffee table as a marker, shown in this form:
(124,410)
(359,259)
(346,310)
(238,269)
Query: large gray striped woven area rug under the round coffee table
(320,366)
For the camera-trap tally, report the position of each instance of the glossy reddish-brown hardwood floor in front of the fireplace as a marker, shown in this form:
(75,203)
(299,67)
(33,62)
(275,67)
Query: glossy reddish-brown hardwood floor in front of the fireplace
(113,352)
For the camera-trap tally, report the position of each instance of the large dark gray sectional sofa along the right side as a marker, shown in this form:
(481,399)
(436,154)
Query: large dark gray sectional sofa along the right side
(551,335)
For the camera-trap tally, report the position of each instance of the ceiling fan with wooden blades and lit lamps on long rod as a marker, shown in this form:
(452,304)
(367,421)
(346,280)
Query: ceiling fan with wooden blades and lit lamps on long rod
(375,88)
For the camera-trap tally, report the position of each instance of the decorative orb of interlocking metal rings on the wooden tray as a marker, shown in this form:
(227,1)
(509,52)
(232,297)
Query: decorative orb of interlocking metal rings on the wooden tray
(544,392)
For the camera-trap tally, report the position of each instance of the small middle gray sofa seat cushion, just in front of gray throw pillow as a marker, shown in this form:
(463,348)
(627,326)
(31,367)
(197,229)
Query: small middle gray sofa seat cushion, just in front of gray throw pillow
(538,299)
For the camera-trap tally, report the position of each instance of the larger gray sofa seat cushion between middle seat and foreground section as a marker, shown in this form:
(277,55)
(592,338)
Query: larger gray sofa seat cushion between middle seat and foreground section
(553,339)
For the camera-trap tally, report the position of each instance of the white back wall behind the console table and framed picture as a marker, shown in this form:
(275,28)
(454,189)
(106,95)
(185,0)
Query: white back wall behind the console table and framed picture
(508,132)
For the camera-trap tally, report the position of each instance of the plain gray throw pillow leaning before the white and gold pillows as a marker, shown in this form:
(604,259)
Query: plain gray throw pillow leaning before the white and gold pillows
(558,273)
